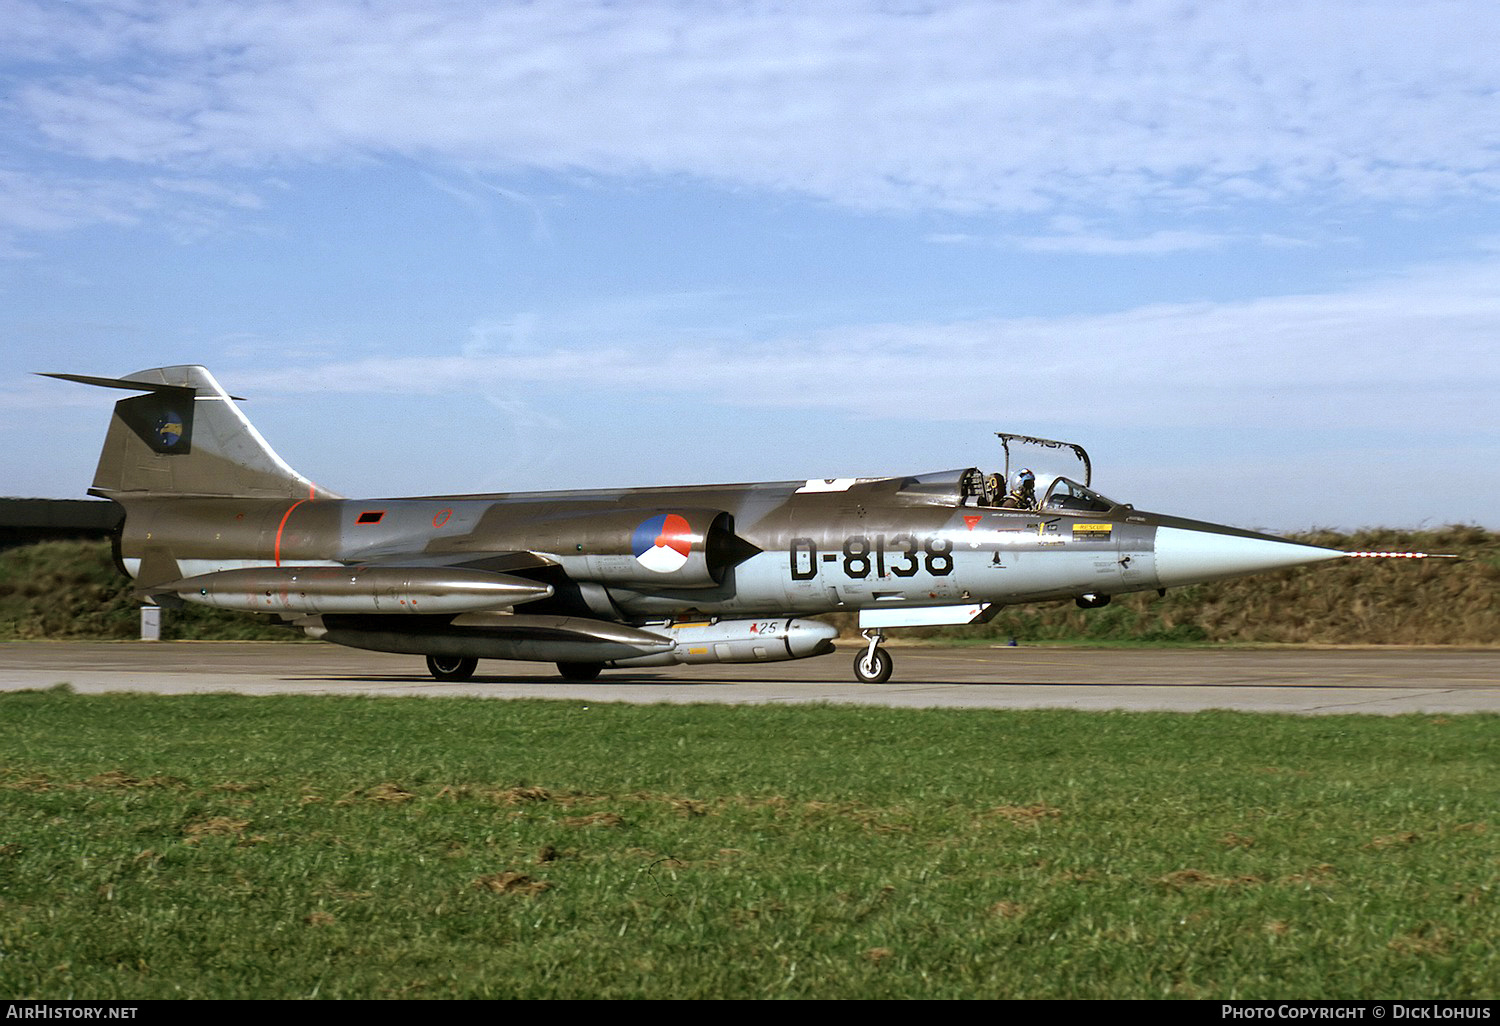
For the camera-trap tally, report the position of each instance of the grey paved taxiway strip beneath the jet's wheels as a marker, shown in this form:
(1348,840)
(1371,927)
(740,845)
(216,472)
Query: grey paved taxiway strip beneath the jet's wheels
(1277,680)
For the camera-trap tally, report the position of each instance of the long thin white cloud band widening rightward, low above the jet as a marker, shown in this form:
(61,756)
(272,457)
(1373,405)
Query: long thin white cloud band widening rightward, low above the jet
(1414,353)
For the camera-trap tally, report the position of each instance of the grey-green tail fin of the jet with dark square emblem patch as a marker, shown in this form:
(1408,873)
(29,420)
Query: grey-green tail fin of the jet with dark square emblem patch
(187,437)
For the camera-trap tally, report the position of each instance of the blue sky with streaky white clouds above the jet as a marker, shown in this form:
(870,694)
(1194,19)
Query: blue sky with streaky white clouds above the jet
(1246,253)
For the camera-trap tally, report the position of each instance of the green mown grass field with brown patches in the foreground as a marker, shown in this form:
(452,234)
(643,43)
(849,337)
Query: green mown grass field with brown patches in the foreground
(223,847)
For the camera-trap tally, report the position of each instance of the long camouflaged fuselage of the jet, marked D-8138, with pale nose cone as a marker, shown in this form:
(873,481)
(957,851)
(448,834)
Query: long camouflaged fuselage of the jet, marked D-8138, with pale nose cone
(787,548)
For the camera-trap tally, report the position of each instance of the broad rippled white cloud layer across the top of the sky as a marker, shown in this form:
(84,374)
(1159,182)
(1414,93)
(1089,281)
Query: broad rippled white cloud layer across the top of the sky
(955,106)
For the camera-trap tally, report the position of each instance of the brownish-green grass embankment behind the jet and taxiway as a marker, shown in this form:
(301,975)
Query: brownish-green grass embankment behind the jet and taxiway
(67,590)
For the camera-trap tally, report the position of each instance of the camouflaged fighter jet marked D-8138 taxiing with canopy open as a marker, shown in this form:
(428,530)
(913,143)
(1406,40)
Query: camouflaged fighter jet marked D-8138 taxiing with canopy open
(619,578)
